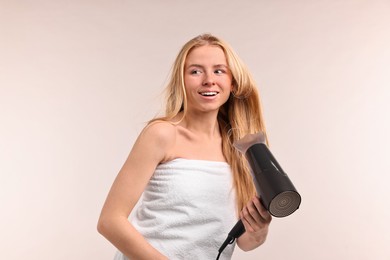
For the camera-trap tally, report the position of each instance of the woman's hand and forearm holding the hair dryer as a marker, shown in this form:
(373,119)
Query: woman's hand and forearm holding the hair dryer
(256,220)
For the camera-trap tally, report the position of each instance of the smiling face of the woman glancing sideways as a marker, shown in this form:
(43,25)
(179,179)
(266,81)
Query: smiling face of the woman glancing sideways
(207,79)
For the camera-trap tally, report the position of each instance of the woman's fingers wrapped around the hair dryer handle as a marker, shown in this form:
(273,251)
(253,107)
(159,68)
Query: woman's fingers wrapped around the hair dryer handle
(254,216)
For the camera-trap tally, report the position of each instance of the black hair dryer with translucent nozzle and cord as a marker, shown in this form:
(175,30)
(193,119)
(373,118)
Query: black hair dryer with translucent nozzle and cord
(276,191)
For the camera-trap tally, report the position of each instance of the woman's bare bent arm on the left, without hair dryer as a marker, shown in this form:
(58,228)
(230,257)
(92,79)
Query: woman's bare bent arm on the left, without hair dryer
(151,148)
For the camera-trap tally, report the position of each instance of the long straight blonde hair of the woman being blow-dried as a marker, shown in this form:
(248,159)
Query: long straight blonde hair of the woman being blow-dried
(240,115)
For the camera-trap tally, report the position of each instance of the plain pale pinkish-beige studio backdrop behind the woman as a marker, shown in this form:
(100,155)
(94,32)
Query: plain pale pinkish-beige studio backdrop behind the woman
(79,80)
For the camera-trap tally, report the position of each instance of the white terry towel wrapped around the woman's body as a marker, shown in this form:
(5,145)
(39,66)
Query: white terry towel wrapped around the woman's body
(187,209)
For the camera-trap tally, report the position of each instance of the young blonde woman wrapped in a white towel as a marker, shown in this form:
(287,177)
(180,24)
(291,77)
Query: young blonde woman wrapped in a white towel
(192,184)
